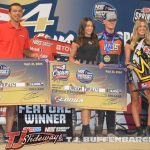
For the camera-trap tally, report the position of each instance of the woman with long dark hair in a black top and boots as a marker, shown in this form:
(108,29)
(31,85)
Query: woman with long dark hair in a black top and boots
(84,50)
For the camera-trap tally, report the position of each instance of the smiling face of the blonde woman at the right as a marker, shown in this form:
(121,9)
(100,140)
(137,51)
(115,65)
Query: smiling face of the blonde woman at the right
(142,29)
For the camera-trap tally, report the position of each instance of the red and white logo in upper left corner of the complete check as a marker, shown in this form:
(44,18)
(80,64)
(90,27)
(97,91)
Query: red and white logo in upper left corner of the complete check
(60,72)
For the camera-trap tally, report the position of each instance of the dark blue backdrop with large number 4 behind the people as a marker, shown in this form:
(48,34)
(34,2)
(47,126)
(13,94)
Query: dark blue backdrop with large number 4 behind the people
(60,20)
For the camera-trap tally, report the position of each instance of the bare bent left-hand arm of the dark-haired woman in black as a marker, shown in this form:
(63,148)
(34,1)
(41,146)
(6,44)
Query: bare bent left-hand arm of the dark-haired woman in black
(74,48)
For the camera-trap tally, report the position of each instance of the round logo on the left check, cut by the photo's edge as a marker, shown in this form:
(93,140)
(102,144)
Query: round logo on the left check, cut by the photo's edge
(4,71)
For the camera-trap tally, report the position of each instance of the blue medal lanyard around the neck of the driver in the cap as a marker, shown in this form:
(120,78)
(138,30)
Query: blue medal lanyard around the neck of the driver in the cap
(108,46)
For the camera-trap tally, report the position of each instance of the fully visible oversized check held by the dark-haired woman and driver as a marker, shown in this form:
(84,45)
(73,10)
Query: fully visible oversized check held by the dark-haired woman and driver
(85,86)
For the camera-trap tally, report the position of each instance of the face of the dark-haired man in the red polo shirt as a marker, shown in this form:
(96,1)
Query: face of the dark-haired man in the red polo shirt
(16,13)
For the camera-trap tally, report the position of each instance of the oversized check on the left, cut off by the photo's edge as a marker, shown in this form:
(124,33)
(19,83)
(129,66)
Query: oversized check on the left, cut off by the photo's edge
(24,82)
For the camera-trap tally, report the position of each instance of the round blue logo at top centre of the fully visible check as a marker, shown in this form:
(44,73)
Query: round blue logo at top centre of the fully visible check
(84,76)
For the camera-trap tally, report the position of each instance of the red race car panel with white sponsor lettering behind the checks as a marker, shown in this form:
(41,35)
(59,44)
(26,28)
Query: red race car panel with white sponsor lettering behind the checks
(48,48)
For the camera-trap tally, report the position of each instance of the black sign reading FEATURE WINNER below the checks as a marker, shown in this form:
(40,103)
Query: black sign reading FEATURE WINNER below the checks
(45,119)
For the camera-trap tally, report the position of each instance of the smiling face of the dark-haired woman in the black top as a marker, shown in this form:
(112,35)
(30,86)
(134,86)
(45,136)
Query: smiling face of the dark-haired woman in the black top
(88,29)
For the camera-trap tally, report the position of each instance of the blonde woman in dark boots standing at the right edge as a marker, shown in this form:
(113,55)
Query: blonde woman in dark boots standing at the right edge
(140,35)
